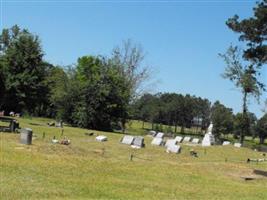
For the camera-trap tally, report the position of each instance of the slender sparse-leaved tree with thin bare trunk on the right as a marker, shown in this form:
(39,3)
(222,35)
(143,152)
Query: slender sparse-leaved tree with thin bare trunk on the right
(245,77)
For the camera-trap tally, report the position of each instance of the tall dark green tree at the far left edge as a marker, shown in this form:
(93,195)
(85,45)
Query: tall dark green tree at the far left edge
(23,69)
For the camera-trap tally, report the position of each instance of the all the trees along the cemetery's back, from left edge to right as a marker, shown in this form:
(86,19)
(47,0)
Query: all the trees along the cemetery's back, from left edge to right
(102,92)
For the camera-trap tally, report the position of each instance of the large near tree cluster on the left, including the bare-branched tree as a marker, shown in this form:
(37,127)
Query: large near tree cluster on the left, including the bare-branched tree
(95,93)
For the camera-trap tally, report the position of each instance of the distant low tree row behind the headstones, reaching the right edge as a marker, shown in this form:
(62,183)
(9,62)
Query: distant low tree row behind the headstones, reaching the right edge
(186,111)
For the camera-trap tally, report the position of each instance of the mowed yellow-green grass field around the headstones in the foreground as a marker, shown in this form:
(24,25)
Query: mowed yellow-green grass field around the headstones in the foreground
(87,169)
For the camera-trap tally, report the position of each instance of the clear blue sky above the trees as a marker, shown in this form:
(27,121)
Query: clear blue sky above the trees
(181,39)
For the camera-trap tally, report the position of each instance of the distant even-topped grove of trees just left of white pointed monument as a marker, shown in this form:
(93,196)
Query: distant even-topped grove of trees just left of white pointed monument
(172,109)
